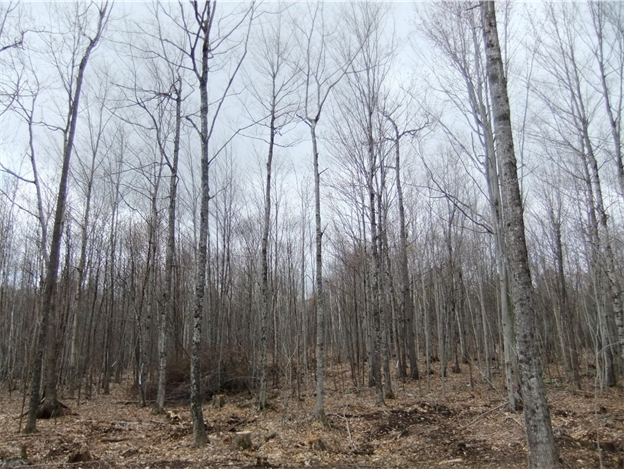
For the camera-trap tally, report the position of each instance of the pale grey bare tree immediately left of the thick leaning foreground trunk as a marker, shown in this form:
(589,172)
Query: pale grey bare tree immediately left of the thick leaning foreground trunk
(454,29)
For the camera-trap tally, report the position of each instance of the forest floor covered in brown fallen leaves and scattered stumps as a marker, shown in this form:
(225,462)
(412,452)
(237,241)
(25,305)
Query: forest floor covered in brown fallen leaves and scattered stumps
(460,427)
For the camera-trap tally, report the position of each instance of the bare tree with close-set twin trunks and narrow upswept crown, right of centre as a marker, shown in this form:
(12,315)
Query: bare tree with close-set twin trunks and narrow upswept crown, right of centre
(365,142)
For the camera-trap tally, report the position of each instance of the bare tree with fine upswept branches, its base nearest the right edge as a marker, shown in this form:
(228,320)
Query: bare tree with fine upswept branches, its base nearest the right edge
(577,133)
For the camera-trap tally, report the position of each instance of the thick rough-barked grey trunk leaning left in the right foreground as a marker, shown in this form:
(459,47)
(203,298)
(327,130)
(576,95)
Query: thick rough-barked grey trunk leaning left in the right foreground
(542,452)
